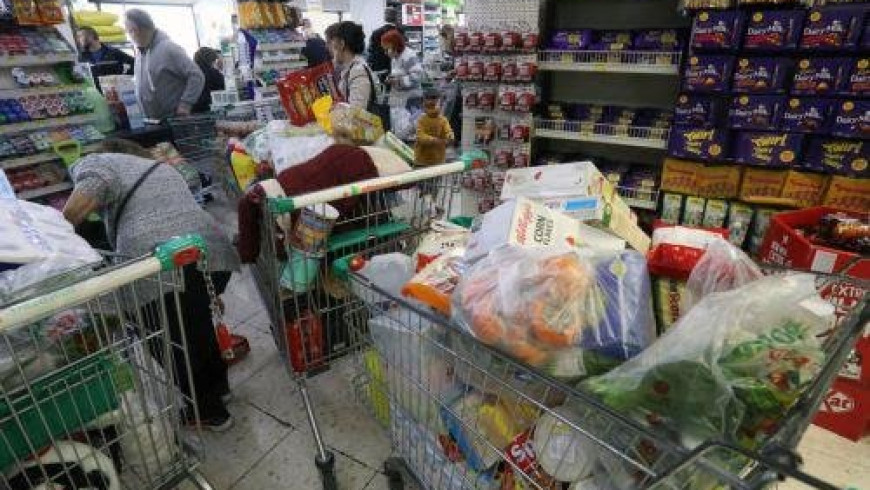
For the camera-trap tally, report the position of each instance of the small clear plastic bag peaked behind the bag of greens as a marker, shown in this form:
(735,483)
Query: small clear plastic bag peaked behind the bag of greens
(723,267)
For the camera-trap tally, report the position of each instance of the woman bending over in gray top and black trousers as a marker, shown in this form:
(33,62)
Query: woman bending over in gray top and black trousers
(145,203)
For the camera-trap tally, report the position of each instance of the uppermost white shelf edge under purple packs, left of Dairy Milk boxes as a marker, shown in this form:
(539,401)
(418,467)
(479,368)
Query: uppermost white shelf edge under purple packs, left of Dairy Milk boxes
(648,62)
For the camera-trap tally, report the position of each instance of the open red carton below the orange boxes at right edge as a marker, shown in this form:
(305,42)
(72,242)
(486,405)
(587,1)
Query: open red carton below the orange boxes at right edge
(784,245)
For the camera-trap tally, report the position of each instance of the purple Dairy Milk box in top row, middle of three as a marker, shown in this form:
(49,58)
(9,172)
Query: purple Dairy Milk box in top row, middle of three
(773,30)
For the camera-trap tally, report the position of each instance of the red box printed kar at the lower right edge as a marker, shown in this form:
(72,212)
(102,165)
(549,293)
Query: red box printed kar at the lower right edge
(845,410)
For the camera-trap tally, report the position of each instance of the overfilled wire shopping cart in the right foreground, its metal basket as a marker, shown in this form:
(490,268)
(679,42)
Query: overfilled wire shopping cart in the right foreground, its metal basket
(435,378)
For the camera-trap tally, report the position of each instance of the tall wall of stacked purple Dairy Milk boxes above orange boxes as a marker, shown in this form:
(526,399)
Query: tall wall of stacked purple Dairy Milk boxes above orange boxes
(780,92)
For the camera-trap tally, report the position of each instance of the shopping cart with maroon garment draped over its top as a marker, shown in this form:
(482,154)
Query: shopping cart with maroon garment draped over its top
(310,304)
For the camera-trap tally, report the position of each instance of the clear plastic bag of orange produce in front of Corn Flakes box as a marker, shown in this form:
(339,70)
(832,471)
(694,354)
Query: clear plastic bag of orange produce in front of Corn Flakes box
(569,312)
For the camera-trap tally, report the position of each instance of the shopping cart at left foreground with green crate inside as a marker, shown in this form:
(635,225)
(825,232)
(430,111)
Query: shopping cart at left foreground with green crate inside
(84,403)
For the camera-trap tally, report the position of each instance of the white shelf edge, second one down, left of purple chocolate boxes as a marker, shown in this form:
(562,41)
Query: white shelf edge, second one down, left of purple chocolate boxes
(611,134)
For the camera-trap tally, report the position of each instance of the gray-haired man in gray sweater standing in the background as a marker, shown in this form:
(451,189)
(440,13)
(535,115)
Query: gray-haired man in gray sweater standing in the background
(168,82)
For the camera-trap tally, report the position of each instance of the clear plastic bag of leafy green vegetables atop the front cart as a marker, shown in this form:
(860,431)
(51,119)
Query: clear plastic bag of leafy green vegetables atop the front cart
(731,366)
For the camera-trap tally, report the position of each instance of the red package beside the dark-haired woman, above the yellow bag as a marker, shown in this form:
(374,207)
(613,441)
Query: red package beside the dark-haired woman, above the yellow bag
(299,89)
